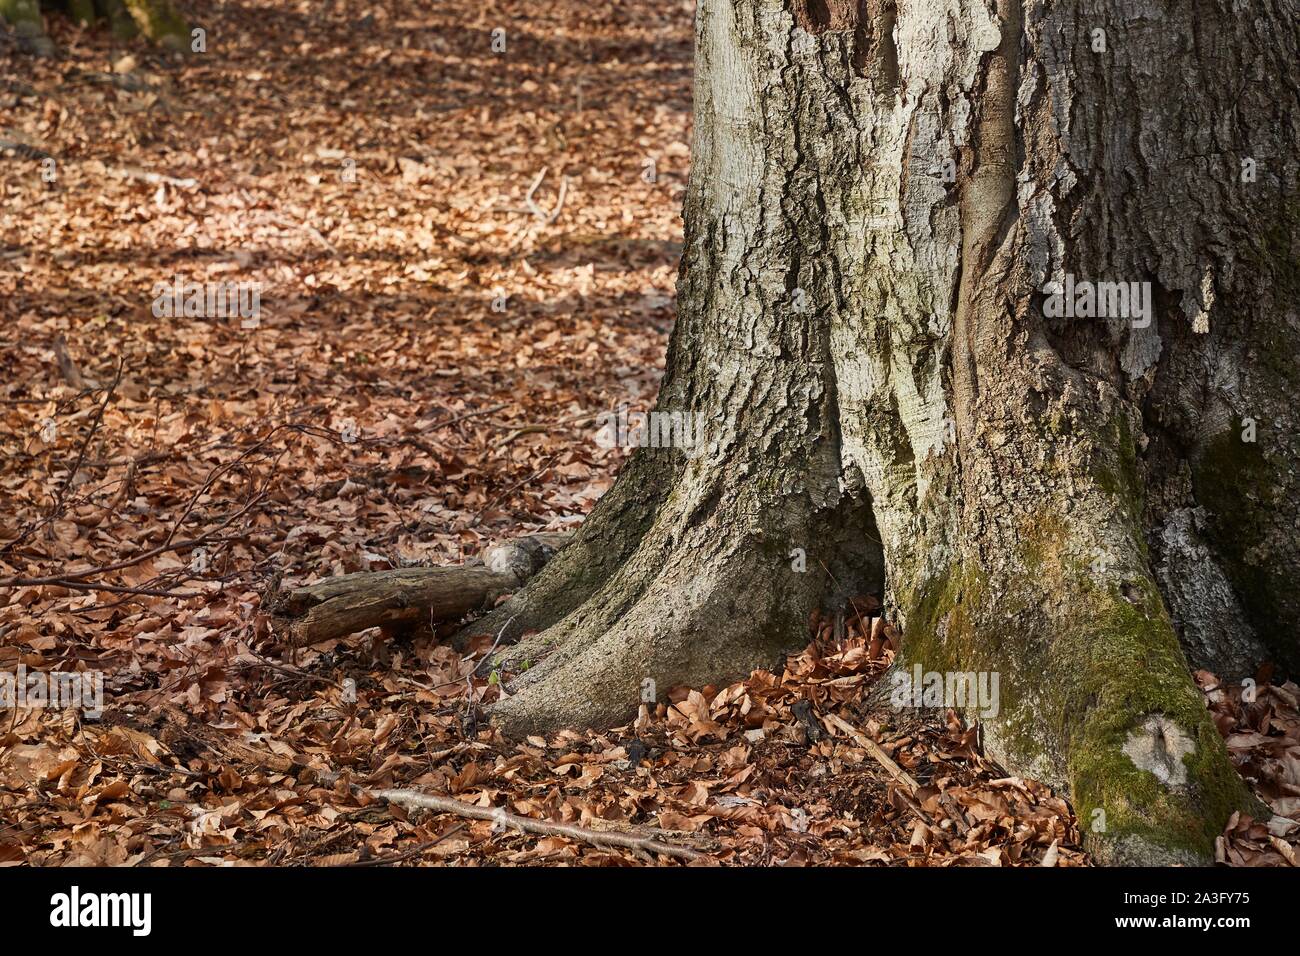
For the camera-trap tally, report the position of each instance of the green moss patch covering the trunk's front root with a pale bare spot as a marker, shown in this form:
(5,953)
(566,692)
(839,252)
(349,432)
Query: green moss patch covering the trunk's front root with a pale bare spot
(1095,694)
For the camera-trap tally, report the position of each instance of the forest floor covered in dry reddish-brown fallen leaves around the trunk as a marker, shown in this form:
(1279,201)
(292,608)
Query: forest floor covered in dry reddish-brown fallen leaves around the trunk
(371,168)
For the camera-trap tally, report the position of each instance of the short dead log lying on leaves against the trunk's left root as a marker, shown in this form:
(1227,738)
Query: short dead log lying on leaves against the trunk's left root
(410,596)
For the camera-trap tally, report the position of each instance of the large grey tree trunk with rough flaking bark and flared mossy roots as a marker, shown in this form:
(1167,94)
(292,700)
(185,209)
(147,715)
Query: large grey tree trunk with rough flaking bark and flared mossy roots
(879,197)
